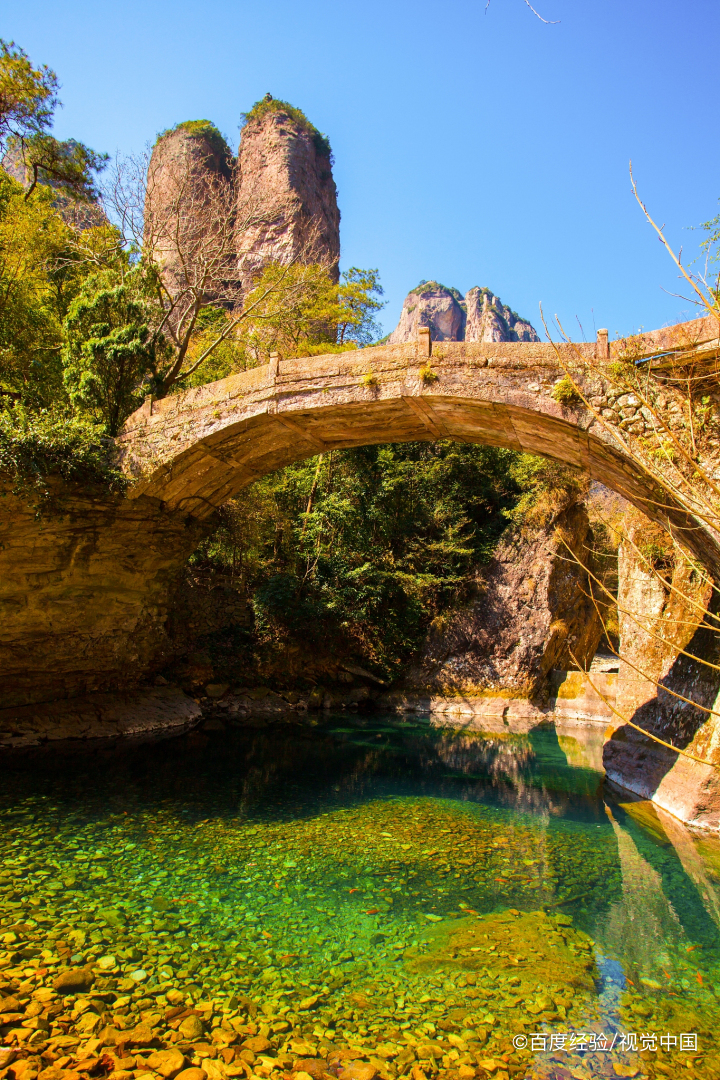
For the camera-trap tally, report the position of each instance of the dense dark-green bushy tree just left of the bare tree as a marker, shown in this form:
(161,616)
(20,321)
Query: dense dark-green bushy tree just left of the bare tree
(110,349)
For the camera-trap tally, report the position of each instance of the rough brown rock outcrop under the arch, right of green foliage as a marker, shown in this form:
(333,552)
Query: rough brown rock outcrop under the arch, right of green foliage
(529,614)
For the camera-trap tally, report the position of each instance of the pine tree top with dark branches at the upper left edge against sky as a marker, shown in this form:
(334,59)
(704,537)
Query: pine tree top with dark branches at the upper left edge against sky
(29,100)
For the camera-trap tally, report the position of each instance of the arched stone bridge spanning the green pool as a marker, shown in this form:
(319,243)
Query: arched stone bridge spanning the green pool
(199,449)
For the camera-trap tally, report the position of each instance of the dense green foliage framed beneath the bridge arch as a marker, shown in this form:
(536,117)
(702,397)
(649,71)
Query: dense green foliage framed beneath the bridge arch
(357,551)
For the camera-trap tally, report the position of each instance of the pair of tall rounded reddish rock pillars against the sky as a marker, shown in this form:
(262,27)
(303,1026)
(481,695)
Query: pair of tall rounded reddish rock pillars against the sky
(282,201)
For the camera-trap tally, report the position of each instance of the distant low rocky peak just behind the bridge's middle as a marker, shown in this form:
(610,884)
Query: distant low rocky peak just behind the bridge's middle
(479,317)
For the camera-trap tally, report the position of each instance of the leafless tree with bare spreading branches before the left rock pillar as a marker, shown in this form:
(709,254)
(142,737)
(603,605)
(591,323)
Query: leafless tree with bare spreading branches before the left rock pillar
(184,222)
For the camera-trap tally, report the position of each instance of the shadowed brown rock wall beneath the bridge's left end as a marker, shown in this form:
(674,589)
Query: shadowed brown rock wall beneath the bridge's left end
(86,587)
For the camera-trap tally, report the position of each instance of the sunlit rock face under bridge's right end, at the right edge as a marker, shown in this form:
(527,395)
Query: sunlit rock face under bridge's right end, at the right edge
(653,698)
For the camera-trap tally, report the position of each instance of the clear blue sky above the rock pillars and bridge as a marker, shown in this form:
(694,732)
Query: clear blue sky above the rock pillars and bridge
(472,147)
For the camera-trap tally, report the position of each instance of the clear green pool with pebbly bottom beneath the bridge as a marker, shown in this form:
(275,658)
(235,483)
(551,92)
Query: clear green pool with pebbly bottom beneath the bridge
(428,898)
